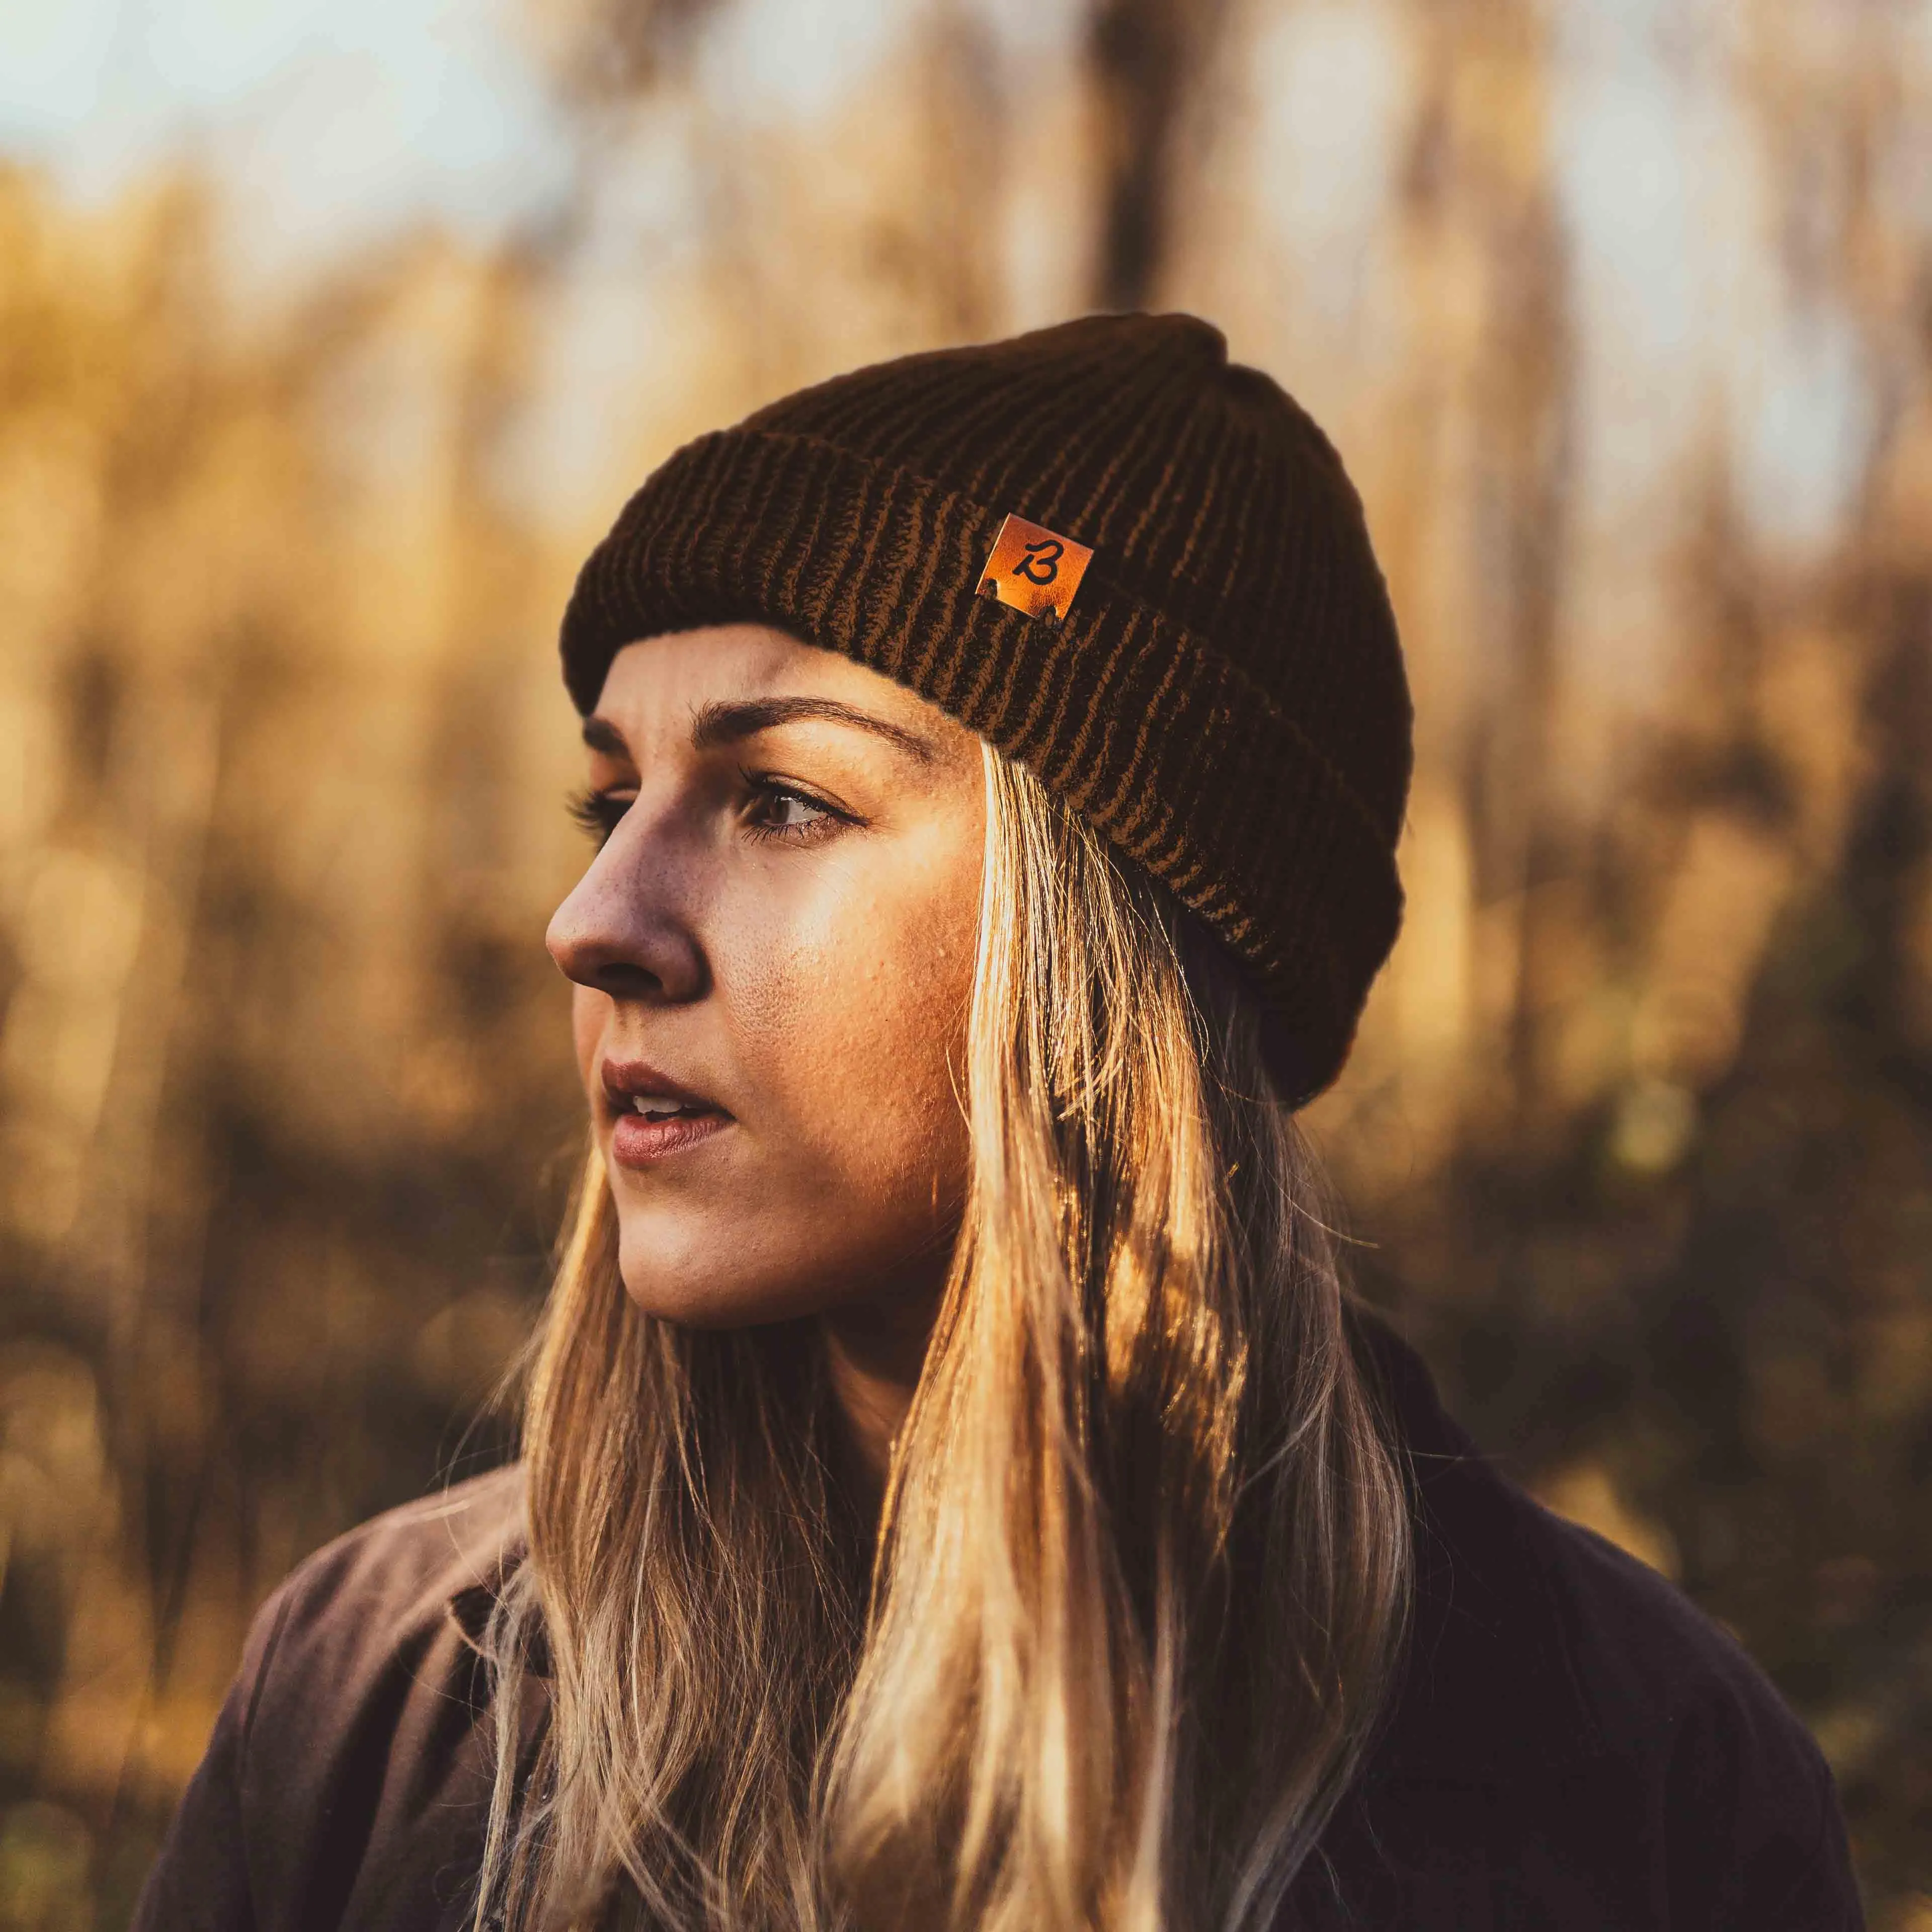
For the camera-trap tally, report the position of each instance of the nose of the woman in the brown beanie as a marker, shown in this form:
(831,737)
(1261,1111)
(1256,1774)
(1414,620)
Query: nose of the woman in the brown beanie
(627,928)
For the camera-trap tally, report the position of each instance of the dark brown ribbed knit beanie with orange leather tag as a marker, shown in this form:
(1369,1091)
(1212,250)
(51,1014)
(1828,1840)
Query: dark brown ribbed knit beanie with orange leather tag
(1224,695)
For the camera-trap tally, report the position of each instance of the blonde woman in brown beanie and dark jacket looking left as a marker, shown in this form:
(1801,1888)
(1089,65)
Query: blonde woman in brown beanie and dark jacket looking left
(957,1489)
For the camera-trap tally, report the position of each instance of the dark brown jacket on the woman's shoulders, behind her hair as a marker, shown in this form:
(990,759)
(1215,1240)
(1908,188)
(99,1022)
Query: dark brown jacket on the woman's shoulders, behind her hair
(1576,1747)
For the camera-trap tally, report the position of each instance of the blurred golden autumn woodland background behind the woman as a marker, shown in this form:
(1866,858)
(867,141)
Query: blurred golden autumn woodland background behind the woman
(1622,314)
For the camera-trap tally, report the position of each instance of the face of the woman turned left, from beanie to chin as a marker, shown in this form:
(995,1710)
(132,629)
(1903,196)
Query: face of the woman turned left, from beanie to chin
(774,953)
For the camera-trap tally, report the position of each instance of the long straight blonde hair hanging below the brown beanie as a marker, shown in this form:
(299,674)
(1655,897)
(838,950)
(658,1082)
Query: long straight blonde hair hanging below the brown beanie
(1141,1579)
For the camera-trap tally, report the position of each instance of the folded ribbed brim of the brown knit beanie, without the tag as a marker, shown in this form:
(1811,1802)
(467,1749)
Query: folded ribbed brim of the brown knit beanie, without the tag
(1125,712)
